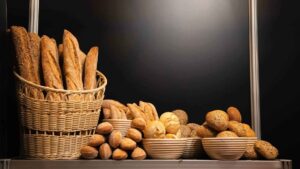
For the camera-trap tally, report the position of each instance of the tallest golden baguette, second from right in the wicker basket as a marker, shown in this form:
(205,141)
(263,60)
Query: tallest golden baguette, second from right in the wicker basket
(72,64)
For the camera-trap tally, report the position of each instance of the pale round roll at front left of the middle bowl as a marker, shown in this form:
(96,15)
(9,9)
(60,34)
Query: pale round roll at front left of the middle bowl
(155,129)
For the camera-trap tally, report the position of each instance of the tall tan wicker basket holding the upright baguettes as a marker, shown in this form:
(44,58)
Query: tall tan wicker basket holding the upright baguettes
(57,129)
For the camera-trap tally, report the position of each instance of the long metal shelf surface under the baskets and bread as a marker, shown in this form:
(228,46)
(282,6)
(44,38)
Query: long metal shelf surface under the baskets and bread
(145,164)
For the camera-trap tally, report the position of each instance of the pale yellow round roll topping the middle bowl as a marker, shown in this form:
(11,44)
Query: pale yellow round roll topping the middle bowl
(171,122)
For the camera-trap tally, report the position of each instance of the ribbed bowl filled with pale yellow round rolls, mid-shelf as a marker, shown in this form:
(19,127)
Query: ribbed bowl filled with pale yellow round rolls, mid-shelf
(163,139)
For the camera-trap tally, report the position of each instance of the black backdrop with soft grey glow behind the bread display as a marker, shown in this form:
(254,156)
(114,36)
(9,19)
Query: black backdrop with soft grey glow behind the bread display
(191,55)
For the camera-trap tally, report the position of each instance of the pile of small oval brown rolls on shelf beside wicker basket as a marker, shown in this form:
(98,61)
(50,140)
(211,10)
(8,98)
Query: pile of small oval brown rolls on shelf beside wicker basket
(109,143)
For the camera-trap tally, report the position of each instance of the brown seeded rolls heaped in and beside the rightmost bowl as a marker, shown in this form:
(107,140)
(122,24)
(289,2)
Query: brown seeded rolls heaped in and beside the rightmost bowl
(219,123)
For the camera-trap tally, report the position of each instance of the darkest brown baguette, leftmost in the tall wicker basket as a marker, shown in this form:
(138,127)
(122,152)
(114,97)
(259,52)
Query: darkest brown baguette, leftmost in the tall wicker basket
(25,61)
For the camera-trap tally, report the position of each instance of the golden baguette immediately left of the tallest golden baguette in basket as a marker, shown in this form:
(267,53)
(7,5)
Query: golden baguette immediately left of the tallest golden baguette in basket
(51,68)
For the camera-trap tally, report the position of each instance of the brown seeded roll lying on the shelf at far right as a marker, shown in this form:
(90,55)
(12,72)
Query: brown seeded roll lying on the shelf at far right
(266,150)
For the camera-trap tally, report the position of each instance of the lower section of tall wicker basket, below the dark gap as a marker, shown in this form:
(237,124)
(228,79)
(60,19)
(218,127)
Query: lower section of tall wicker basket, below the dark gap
(54,145)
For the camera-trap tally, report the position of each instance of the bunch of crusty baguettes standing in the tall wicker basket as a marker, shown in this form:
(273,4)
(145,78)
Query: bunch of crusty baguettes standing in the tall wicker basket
(41,61)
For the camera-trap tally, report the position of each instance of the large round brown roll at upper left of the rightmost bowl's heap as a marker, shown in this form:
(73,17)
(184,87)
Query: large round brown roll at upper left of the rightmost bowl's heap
(217,120)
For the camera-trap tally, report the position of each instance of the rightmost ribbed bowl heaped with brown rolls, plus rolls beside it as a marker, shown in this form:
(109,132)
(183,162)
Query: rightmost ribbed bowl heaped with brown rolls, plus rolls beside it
(226,137)
